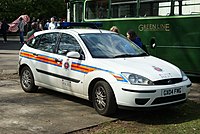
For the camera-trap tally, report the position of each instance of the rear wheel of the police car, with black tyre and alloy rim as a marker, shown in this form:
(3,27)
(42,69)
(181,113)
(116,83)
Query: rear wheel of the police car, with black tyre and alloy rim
(27,80)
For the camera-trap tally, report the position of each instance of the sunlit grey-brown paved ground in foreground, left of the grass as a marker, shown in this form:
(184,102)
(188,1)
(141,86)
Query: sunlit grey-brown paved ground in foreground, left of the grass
(43,112)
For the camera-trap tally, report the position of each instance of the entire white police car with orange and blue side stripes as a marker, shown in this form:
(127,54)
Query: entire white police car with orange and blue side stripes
(100,66)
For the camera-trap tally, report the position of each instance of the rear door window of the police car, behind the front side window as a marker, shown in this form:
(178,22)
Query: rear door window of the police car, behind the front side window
(48,42)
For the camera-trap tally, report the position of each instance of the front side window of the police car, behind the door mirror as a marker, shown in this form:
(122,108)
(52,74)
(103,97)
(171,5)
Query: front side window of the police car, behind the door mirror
(68,43)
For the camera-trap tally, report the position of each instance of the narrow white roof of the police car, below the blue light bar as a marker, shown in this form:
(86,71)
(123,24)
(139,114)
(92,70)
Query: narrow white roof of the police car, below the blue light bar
(76,31)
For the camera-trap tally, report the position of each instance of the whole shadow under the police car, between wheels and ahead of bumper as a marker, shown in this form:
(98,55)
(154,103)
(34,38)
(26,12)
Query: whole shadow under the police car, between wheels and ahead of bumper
(188,111)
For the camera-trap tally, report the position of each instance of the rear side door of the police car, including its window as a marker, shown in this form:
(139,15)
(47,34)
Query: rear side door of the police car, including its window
(46,60)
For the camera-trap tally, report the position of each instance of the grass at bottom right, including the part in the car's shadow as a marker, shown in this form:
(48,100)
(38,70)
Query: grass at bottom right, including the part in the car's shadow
(183,119)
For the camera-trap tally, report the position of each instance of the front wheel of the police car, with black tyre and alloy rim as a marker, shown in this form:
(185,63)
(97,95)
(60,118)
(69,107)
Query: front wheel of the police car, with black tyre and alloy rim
(103,98)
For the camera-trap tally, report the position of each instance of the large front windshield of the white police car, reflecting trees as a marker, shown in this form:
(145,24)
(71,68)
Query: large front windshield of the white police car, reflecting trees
(110,45)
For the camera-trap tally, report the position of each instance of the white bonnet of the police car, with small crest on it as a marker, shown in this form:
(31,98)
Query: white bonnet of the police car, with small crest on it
(148,66)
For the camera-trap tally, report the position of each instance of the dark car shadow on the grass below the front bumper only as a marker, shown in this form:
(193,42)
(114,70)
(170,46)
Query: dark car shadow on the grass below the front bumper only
(169,115)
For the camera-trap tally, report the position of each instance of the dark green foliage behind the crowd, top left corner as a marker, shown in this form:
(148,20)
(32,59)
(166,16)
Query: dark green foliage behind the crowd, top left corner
(43,9)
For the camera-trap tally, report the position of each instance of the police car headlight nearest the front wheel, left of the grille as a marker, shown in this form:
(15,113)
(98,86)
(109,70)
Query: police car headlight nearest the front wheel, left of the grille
(137,79)
